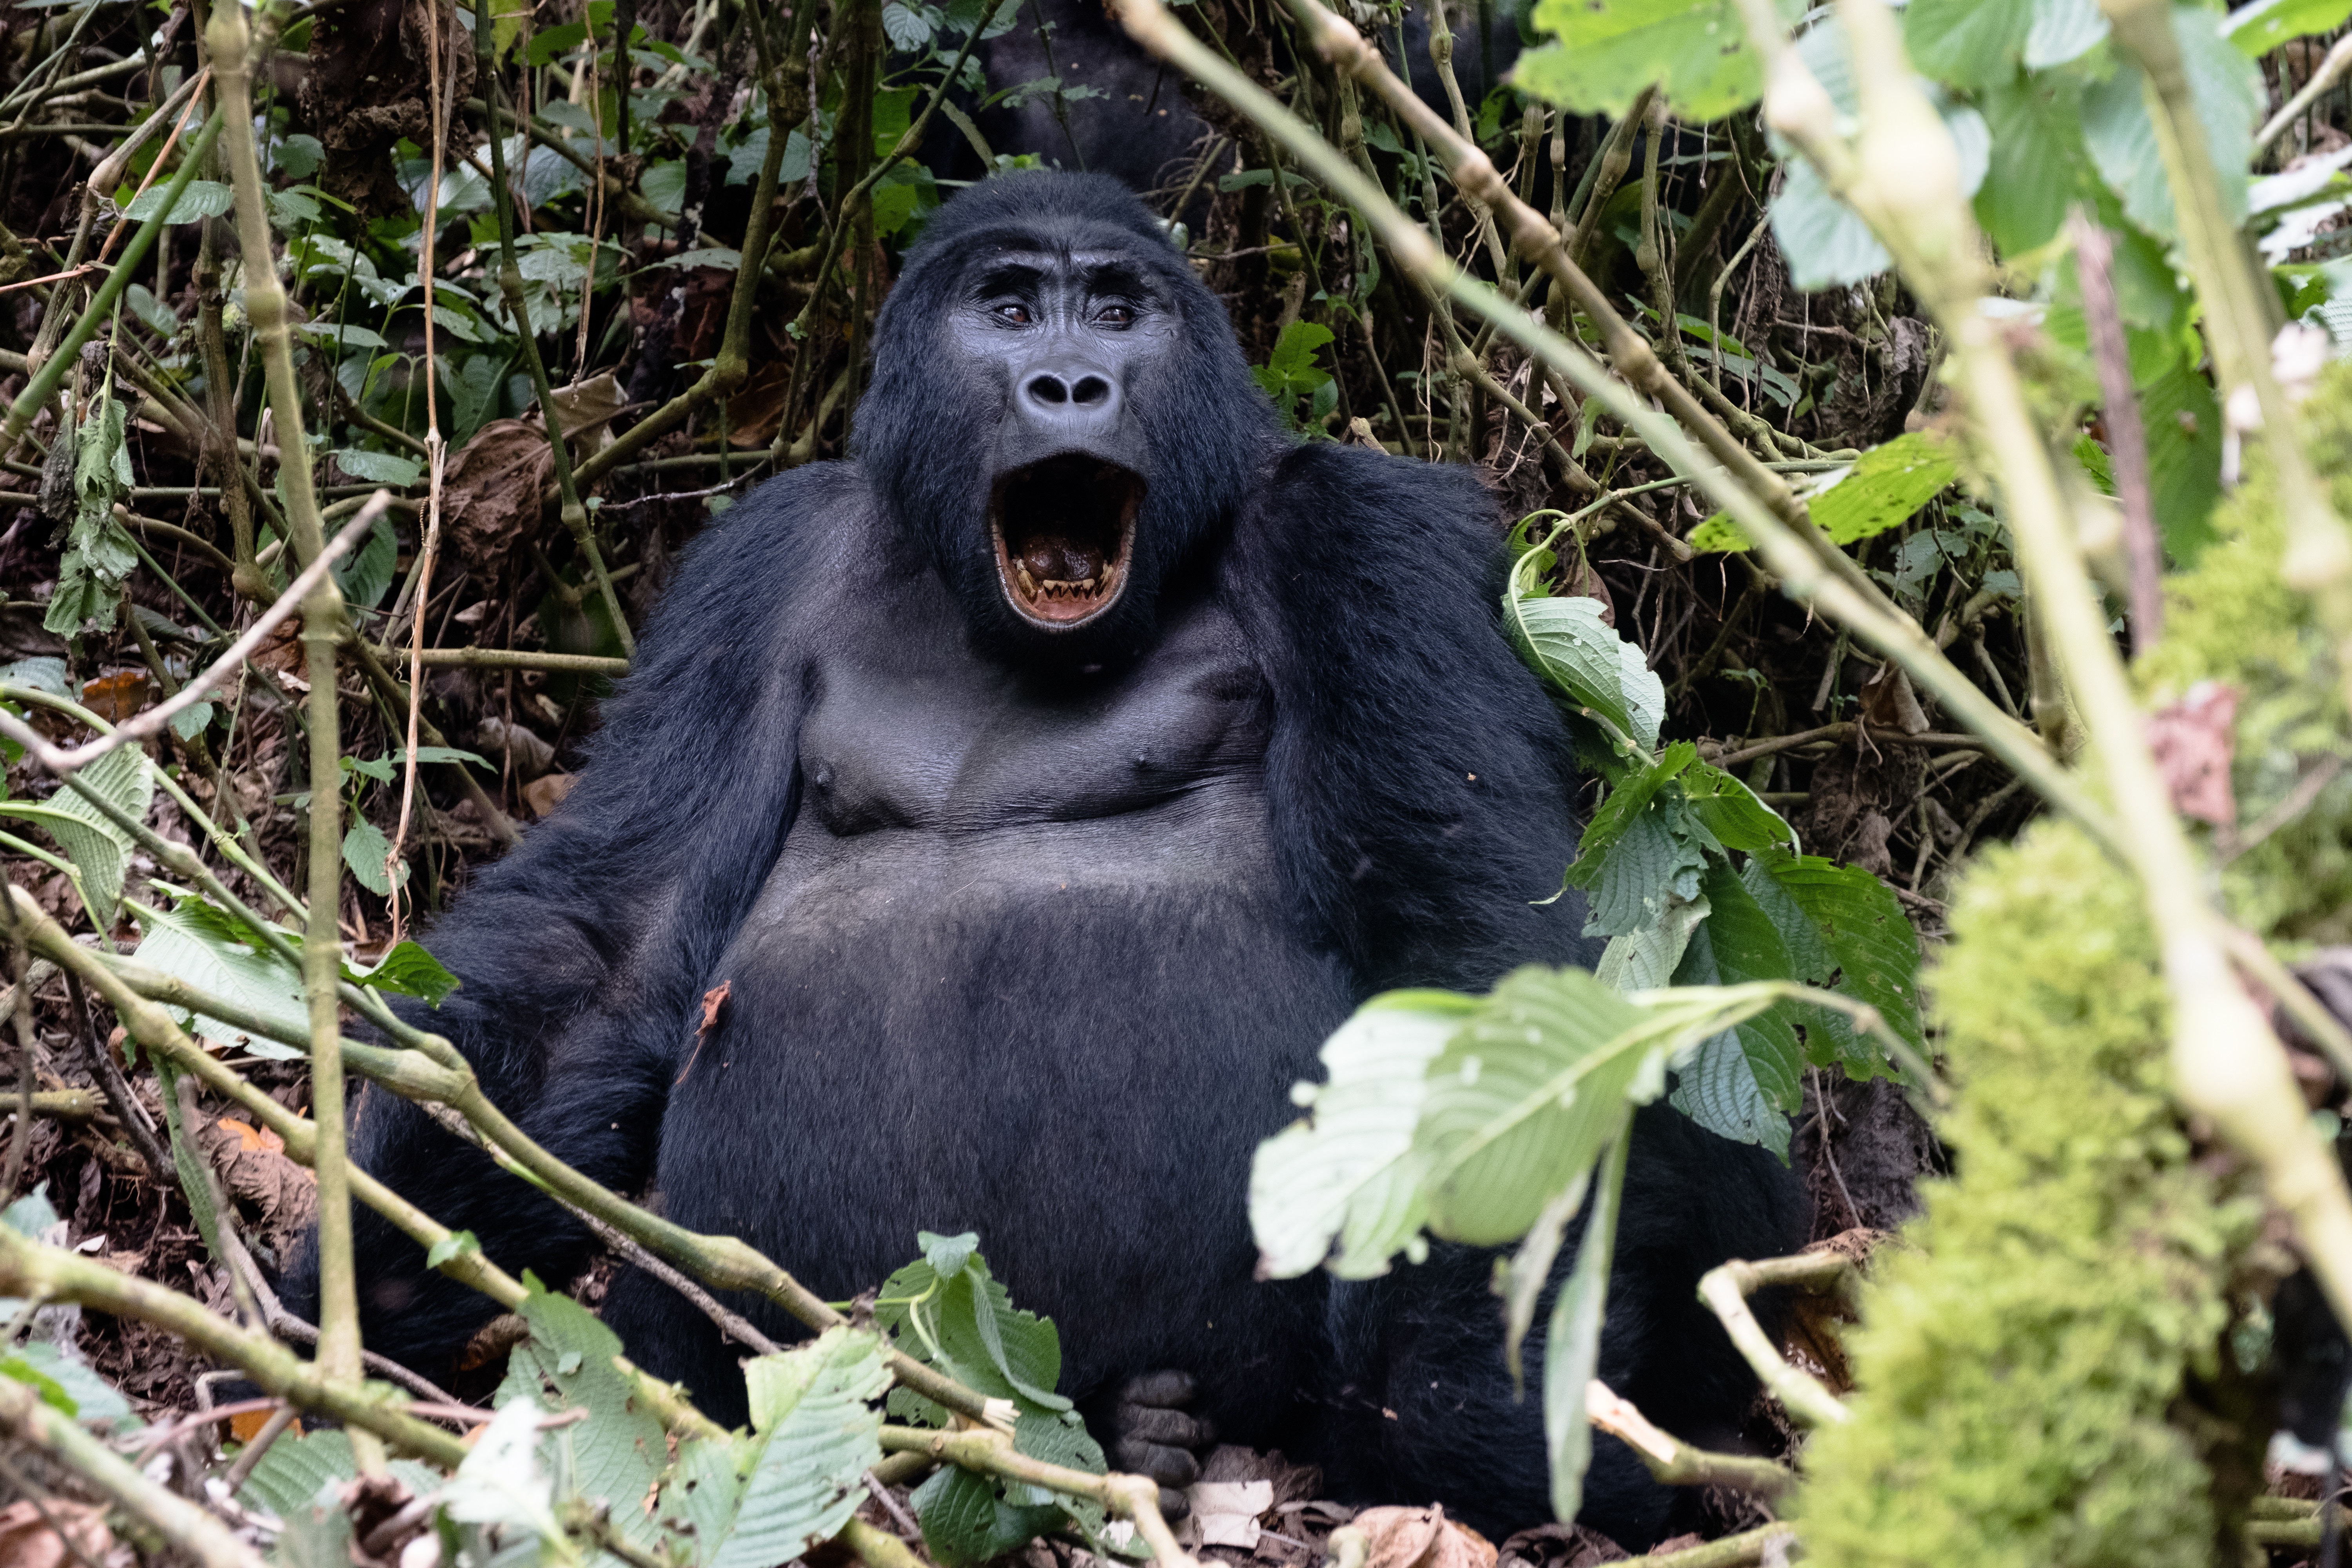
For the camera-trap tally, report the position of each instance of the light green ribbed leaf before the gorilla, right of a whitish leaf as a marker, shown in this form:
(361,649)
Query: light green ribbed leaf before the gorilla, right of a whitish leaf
(1523,1101)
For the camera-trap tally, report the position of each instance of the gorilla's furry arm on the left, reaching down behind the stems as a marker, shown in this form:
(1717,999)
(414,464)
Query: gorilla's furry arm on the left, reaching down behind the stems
(584,953)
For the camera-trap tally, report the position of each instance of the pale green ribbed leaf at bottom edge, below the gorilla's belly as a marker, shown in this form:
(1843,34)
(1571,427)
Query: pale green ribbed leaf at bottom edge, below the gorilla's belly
(817,1435)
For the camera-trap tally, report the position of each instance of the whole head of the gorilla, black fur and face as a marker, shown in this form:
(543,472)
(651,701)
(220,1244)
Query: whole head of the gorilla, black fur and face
(1055,413)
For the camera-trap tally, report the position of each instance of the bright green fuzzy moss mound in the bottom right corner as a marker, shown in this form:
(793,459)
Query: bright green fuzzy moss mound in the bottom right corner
(2019,1362)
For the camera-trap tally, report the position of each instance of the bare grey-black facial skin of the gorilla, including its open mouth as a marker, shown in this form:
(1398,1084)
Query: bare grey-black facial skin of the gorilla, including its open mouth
(1067,337)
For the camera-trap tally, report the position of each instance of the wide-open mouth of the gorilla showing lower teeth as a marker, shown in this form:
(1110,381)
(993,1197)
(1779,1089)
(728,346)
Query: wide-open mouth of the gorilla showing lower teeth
(1064,532)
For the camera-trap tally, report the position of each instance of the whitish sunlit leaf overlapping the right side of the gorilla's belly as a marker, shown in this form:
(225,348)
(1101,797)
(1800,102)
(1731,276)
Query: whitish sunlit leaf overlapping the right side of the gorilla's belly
(1342,1188)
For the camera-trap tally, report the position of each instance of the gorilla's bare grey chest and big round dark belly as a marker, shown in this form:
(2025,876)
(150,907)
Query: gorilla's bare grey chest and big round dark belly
(1043,958)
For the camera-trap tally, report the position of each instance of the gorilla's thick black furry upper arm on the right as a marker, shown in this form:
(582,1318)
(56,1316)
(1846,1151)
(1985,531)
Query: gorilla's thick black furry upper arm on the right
(1419,777)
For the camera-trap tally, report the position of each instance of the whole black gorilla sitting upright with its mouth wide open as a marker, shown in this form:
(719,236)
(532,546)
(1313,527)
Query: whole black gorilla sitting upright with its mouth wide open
(1045,786)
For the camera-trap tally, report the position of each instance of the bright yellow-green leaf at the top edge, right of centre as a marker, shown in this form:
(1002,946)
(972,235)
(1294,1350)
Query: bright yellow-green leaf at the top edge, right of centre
(1610,51)
